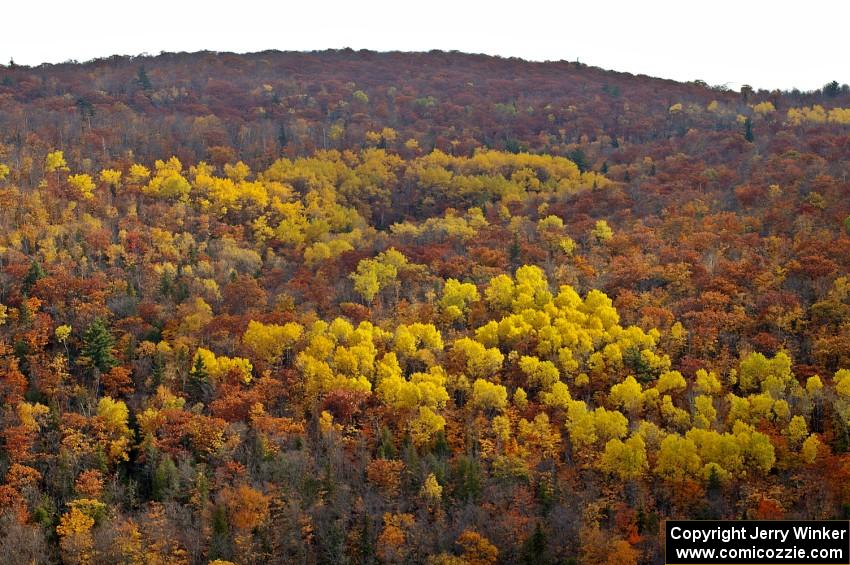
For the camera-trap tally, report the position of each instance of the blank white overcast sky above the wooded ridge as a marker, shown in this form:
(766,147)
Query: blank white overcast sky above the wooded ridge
(769,45)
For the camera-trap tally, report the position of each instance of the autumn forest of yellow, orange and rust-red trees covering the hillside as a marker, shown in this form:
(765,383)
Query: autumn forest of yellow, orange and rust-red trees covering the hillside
(353,307)
